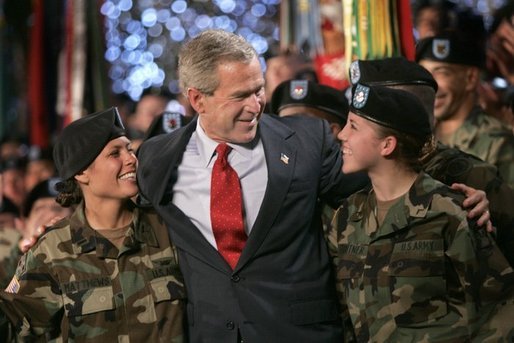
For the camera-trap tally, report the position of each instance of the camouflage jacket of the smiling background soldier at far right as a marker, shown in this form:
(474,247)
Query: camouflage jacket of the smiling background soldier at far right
(487,138)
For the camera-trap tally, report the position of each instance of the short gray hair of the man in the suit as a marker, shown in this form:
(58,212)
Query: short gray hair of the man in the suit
(200,57)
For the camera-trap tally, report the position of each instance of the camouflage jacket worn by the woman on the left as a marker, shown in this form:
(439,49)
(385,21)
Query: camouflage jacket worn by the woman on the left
(76,286)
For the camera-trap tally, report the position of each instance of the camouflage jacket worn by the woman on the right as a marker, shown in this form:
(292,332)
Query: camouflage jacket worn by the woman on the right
(424,275)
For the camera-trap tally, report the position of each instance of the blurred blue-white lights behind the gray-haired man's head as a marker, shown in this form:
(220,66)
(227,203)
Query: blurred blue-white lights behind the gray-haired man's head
(144,36)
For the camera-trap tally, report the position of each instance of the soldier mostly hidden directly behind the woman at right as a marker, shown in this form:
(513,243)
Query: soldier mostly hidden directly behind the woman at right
(445,164)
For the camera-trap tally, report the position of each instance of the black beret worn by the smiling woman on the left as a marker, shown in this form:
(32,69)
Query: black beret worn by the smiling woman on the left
(81,141)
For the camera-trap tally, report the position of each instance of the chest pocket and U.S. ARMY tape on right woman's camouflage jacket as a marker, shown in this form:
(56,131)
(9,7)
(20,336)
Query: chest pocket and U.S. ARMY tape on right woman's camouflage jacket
(418,282)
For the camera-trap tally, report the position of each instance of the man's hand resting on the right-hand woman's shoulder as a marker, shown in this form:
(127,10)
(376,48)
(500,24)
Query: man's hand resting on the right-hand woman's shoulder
(476,204)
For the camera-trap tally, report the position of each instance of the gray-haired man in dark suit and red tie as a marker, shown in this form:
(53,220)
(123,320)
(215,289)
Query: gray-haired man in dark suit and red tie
(272,282)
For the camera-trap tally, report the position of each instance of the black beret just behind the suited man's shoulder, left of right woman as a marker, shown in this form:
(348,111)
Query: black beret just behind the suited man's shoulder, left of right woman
(311,94)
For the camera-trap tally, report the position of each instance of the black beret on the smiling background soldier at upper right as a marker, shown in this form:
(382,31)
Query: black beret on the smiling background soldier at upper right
(452,47)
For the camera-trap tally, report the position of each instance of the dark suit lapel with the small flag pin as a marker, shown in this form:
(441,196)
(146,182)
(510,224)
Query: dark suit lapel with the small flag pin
(280,152)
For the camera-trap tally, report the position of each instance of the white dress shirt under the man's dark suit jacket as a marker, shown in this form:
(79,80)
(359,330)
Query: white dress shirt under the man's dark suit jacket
(192,191)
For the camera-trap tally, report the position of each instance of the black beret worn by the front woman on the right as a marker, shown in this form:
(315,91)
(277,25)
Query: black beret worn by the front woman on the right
(393,108)
